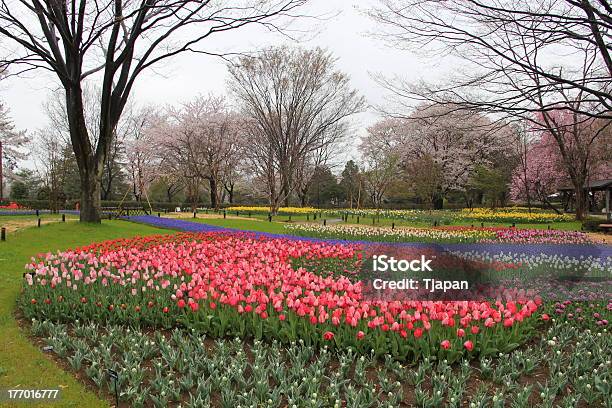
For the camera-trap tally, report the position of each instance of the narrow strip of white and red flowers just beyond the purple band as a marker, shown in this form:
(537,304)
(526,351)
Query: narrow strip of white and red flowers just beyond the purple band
(447,234)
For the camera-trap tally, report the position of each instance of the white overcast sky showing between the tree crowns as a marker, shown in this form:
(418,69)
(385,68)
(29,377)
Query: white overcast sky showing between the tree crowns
(344,34)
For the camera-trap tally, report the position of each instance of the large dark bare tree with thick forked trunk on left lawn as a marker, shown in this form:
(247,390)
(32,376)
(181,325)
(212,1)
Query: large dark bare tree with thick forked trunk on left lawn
(114,42)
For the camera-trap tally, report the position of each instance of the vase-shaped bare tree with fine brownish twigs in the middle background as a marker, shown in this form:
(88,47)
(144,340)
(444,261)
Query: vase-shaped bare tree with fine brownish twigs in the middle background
(298,103)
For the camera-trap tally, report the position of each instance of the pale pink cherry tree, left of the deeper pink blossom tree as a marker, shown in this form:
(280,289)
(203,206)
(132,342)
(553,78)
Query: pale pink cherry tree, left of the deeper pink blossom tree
(448,141)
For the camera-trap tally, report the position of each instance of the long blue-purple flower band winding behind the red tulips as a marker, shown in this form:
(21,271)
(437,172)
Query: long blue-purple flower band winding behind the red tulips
(563,250)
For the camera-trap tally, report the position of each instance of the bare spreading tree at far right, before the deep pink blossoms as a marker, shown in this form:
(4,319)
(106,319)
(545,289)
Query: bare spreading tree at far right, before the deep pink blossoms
(524,61)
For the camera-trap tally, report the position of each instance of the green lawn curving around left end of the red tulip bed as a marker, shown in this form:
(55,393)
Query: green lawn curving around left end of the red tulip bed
(22,364)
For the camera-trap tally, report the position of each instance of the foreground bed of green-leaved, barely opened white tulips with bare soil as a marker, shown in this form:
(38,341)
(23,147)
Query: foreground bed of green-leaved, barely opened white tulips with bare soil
(568,365)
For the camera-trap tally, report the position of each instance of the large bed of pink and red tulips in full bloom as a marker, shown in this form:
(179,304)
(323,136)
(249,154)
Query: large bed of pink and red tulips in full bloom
(236,285)
